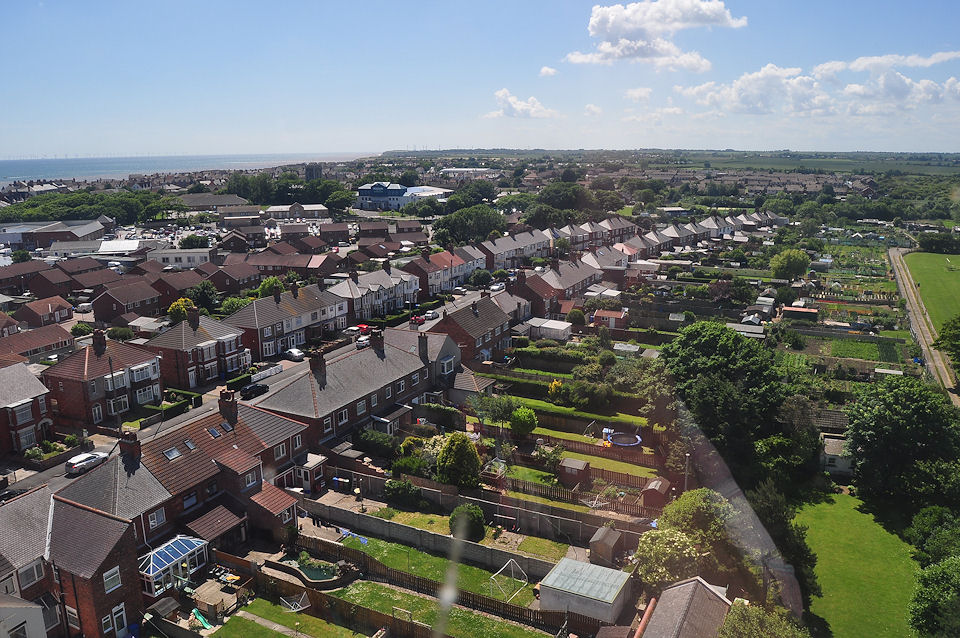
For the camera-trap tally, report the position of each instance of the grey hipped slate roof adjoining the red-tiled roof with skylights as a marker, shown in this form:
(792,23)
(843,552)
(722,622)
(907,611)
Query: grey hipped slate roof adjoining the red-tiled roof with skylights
(122,486)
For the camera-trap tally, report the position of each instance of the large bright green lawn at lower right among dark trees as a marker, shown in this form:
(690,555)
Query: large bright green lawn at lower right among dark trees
(866,573)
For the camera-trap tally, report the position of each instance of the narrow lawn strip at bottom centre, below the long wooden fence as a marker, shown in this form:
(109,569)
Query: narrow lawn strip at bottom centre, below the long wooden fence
(461,624)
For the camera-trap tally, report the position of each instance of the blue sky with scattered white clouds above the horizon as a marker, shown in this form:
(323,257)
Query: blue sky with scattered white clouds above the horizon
(123,78)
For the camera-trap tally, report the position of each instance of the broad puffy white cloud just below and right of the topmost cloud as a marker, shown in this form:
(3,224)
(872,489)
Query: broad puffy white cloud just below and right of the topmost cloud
(768,90)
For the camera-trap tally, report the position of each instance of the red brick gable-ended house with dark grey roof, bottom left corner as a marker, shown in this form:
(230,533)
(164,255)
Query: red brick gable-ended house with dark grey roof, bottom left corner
(98,569)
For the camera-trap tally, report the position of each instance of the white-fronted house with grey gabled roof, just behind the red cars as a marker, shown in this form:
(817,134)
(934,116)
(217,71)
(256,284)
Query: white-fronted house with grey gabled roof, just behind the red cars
(377,293)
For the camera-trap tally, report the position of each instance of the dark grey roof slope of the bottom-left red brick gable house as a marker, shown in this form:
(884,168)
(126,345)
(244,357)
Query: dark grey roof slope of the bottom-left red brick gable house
(82,553)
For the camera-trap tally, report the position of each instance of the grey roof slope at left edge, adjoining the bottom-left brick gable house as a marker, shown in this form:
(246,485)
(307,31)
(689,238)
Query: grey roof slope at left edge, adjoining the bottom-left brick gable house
(24,523)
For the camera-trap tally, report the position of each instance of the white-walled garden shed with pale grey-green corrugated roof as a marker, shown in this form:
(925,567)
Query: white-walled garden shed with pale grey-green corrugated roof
(592,590)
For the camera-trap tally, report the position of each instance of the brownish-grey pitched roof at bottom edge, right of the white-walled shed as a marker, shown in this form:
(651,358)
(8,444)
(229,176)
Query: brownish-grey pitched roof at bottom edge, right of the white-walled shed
(688,609)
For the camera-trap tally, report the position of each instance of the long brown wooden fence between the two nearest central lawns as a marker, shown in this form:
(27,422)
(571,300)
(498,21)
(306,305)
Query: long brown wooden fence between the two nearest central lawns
(375,570)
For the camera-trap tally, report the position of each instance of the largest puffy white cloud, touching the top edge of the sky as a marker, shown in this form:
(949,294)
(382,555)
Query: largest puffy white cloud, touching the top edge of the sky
(640,31)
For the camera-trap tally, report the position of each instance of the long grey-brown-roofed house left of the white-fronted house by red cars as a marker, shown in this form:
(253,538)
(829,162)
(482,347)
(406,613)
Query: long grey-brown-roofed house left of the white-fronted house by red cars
(287,320)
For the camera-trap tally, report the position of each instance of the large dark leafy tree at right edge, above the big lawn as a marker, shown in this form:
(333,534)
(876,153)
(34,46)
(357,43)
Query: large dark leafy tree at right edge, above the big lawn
(903,437)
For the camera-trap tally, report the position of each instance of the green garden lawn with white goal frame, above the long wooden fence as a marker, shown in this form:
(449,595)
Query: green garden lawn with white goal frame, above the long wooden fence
(413,561)
